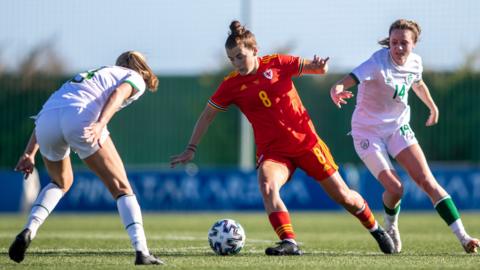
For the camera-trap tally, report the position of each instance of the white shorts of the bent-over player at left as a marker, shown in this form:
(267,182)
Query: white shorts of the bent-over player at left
(59,129)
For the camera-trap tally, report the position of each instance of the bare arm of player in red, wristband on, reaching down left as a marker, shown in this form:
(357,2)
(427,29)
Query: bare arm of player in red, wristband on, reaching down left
(201,127)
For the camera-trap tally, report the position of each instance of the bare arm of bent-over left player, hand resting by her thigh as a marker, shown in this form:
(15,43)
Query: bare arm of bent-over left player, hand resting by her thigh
(93,132)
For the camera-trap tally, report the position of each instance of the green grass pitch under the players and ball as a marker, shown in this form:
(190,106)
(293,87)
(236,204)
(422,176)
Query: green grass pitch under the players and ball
(331,240)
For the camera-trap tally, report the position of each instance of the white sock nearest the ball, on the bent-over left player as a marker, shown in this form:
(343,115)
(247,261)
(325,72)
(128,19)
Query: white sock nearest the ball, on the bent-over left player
(131,215)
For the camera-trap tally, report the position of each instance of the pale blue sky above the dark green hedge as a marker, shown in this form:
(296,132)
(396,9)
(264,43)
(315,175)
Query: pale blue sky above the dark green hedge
(185,37)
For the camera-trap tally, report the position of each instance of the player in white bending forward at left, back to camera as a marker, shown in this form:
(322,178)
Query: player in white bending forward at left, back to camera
(76,116)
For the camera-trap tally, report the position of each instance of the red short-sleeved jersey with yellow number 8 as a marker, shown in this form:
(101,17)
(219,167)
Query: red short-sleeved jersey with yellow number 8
(271,103)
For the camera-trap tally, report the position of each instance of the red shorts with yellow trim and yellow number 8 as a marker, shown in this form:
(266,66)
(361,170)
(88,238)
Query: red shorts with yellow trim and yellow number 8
(317,162)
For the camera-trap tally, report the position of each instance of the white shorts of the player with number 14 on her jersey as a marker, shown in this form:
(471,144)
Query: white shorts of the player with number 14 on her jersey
(373,149)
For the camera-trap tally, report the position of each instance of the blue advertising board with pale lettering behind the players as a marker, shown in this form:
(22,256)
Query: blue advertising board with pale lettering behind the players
(232,189)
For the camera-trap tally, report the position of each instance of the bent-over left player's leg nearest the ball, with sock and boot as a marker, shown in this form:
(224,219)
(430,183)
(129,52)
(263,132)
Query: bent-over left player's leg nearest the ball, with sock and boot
(108,166)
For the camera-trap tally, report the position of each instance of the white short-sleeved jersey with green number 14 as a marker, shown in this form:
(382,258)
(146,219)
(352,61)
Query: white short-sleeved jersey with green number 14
(382,98)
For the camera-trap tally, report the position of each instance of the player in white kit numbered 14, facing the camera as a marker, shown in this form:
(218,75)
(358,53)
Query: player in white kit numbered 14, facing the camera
(380,126)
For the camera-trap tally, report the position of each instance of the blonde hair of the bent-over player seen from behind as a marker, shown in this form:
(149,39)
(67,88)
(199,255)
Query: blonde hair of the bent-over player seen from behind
(137,62)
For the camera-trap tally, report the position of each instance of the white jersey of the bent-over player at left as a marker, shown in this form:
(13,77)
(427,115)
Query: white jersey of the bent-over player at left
(91,90)
